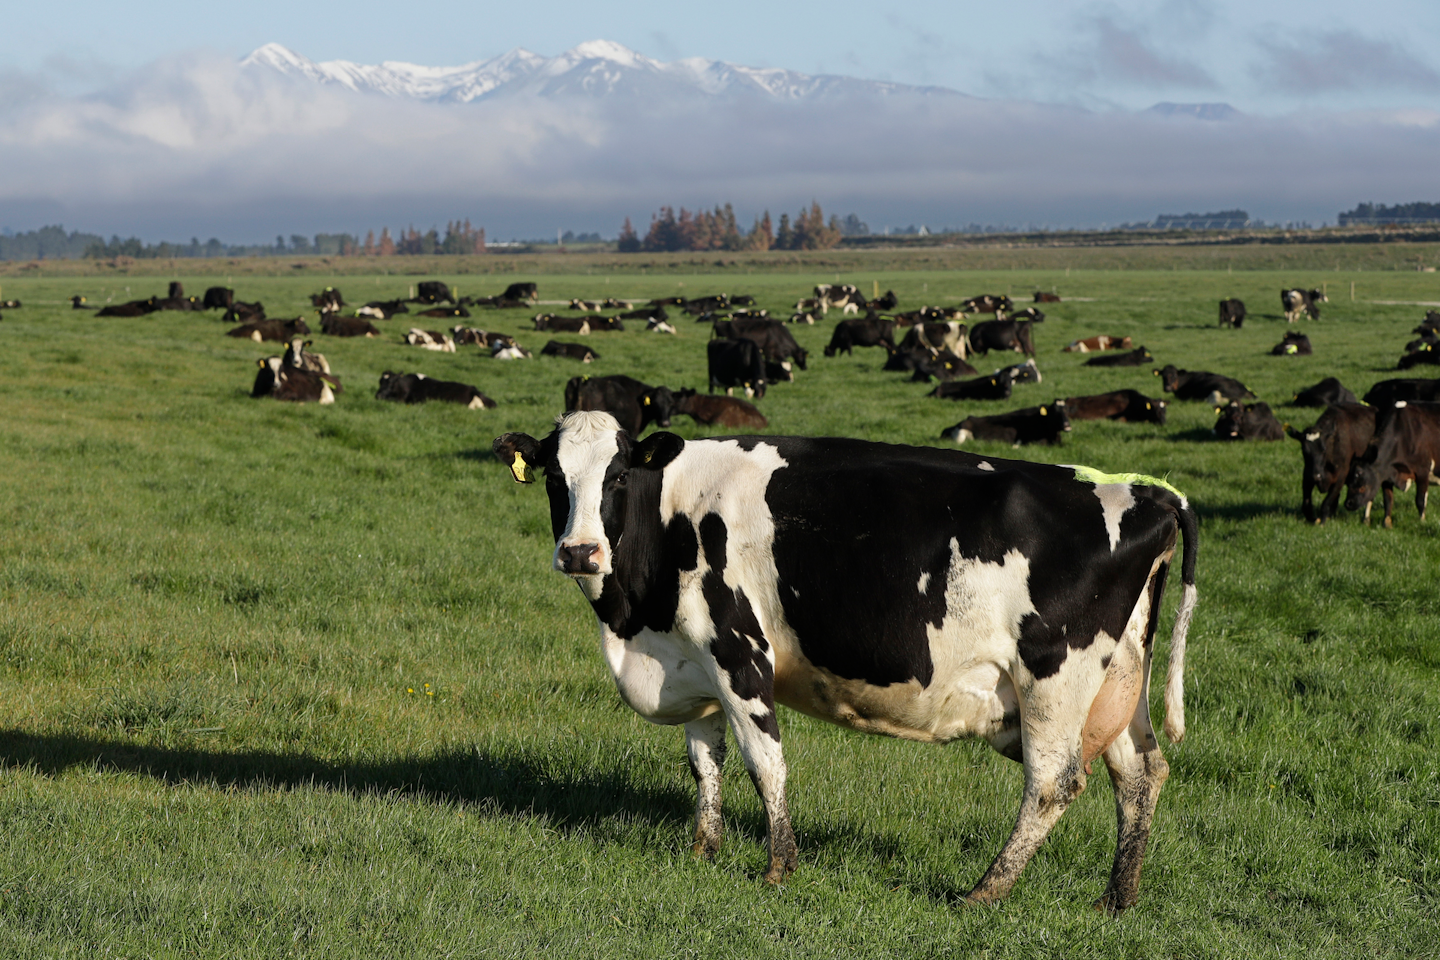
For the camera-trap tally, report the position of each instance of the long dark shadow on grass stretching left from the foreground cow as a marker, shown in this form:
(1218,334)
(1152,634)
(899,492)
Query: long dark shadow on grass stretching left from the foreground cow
(510,784)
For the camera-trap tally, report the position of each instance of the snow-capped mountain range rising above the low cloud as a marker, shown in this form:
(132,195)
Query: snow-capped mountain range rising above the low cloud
(597,68)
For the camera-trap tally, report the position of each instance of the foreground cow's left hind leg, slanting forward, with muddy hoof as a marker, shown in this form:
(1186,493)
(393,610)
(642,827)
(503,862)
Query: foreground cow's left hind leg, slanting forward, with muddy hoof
(1055,776)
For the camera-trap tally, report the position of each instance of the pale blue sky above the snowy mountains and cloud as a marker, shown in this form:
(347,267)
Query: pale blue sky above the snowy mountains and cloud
(1265,57)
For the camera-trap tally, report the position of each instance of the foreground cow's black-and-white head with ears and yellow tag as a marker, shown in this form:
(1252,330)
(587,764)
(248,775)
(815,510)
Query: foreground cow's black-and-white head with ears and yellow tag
(588,463)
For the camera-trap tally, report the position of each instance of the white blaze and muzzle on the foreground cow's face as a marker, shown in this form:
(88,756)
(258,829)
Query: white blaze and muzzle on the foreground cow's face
(588,458)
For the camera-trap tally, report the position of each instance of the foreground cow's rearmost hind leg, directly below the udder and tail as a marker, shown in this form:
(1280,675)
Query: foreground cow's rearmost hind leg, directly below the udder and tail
(1138,771)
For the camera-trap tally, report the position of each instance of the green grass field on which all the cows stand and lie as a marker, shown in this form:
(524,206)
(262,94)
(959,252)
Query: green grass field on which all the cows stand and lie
(297,681)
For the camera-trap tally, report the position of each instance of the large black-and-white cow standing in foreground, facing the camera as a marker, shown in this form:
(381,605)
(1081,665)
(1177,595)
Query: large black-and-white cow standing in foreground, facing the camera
(914,592)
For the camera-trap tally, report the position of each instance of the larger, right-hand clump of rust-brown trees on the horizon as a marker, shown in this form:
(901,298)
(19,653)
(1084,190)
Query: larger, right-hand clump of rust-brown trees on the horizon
(719,231)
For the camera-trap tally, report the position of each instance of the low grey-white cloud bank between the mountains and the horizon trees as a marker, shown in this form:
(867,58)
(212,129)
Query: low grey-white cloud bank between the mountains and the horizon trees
(197,146)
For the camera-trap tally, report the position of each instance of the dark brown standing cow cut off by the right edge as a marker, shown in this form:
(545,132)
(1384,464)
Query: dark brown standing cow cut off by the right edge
(1406,448)
